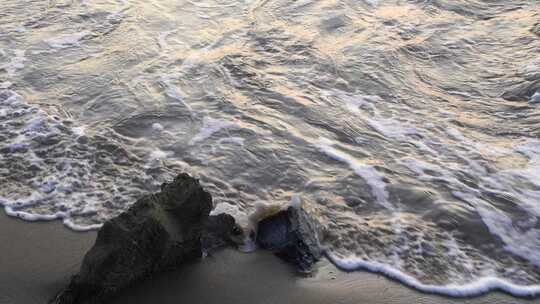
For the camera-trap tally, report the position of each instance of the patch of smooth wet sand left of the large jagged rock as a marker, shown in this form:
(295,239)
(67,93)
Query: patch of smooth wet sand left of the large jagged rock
(37,259)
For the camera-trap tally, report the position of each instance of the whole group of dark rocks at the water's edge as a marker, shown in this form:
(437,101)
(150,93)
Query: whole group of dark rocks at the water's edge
(161,231)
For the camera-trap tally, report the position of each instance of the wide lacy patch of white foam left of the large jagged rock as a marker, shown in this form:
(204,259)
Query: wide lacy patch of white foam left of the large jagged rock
(70,188)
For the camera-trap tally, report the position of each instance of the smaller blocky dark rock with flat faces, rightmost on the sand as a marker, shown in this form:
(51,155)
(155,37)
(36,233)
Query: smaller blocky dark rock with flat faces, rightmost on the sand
(293,236)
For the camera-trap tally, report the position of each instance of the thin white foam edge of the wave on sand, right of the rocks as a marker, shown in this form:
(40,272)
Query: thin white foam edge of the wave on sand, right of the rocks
(475,288)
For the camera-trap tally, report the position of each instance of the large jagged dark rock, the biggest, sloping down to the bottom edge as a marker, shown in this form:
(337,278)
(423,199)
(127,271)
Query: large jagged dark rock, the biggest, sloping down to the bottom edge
(159,232)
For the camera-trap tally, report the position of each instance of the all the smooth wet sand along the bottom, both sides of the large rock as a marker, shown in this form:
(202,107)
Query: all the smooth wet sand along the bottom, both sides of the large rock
(37,260)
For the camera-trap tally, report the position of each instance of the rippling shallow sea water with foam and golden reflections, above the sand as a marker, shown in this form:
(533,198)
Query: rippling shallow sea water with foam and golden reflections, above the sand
(411,129)
